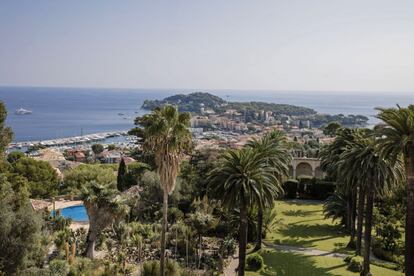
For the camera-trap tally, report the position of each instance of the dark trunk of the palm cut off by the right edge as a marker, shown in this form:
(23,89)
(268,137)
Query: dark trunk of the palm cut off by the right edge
(409,224)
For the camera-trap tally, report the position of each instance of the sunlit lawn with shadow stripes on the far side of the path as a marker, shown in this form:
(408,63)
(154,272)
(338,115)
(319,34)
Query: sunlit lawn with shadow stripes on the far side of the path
(301,223)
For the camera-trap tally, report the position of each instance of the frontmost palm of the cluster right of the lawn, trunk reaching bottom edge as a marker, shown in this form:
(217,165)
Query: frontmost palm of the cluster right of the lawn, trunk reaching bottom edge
(361,160)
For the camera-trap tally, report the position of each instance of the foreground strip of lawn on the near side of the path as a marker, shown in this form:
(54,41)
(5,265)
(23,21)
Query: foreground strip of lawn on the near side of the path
(283,263)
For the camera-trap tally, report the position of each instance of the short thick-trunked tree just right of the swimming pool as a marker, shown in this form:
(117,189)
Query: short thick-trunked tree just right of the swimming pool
(104,204)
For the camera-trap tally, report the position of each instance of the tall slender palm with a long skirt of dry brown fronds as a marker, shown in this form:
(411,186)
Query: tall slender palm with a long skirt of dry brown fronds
(166,135)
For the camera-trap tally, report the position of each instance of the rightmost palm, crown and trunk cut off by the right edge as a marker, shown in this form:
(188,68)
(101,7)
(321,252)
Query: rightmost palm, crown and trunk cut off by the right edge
(398,138)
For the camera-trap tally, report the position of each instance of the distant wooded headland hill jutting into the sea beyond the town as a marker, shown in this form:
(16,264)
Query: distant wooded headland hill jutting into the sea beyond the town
(195,101)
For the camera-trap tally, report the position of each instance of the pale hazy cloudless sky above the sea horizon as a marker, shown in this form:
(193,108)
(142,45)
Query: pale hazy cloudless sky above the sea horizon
(277,45)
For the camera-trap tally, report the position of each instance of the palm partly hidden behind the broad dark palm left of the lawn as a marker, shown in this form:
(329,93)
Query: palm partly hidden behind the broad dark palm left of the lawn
(273,147)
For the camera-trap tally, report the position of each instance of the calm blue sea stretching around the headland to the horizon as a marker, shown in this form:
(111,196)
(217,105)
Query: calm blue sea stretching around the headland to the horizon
(66,112)
